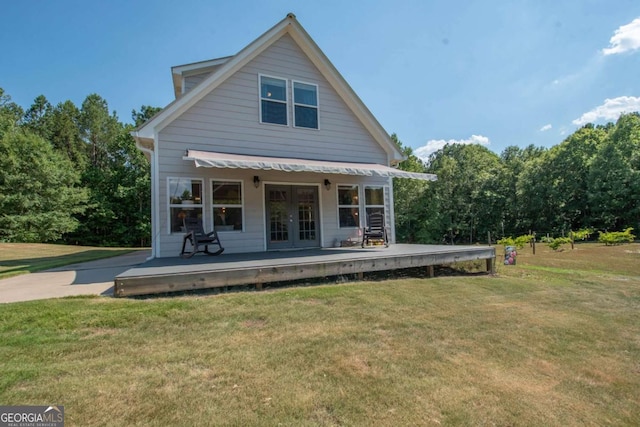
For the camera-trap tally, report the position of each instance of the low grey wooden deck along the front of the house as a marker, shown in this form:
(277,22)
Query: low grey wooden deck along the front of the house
(202,272)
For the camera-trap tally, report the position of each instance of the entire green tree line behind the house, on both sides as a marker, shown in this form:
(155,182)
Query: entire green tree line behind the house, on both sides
(72,174)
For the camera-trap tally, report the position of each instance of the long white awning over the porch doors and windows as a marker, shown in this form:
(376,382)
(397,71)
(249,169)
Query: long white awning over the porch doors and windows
(210,159)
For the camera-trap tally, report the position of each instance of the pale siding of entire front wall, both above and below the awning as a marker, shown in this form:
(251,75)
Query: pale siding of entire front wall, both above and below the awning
(227,120)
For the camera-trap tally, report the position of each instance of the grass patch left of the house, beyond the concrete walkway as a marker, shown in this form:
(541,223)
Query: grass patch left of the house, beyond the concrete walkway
(23,258)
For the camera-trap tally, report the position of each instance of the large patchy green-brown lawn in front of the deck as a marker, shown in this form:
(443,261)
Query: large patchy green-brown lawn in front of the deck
(554,340)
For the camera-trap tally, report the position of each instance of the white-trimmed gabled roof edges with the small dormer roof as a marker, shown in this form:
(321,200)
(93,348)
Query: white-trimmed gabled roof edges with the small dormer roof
(226,67)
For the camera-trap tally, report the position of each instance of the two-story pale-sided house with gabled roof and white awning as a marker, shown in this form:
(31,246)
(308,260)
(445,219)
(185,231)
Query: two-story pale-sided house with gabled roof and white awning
(271,147)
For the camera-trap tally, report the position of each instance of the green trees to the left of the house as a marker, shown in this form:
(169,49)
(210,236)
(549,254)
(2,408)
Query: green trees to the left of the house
(72,174)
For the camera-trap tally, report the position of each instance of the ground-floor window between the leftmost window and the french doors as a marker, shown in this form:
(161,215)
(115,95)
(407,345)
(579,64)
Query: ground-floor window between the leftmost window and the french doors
(227,206)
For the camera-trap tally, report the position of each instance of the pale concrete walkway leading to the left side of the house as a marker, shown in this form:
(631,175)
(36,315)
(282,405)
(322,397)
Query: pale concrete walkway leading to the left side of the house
(87,278)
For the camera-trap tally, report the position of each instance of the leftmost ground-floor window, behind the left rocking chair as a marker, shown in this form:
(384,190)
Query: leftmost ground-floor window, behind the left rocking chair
(185,201)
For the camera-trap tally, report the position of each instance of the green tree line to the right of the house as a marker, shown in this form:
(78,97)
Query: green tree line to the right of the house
(589,180)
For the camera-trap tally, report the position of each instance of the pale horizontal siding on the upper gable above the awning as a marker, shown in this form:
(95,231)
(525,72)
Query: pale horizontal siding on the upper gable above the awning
(225,119)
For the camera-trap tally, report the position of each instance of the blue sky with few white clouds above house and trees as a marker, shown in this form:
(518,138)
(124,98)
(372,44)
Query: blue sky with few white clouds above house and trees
(498,73)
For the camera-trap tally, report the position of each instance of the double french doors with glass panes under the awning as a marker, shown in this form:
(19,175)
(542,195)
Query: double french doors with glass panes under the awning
(292,216)
